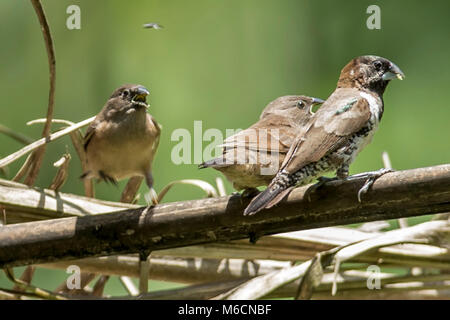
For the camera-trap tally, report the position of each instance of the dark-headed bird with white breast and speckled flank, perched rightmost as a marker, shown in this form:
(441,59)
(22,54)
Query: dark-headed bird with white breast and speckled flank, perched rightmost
(337,132)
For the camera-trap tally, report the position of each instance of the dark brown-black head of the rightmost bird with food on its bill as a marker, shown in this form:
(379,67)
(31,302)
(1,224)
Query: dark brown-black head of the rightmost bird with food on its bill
(369,72)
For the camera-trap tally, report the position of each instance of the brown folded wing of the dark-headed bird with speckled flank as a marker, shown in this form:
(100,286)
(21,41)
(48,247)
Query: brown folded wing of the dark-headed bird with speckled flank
(330,129)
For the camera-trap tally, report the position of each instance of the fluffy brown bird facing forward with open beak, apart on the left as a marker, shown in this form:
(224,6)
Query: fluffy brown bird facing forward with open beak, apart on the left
(122,140)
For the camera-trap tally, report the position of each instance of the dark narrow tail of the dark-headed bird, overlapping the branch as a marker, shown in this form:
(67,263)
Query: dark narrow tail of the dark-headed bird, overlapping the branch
(275,192)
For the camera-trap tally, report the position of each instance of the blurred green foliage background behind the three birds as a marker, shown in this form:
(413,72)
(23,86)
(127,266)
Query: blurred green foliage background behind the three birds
(221,62)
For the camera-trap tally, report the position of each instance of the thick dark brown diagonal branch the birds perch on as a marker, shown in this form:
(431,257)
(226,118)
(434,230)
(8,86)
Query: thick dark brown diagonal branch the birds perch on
(394,195)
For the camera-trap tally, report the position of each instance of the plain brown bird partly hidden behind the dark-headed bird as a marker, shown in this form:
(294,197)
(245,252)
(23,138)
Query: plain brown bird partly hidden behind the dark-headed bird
(252,157)
